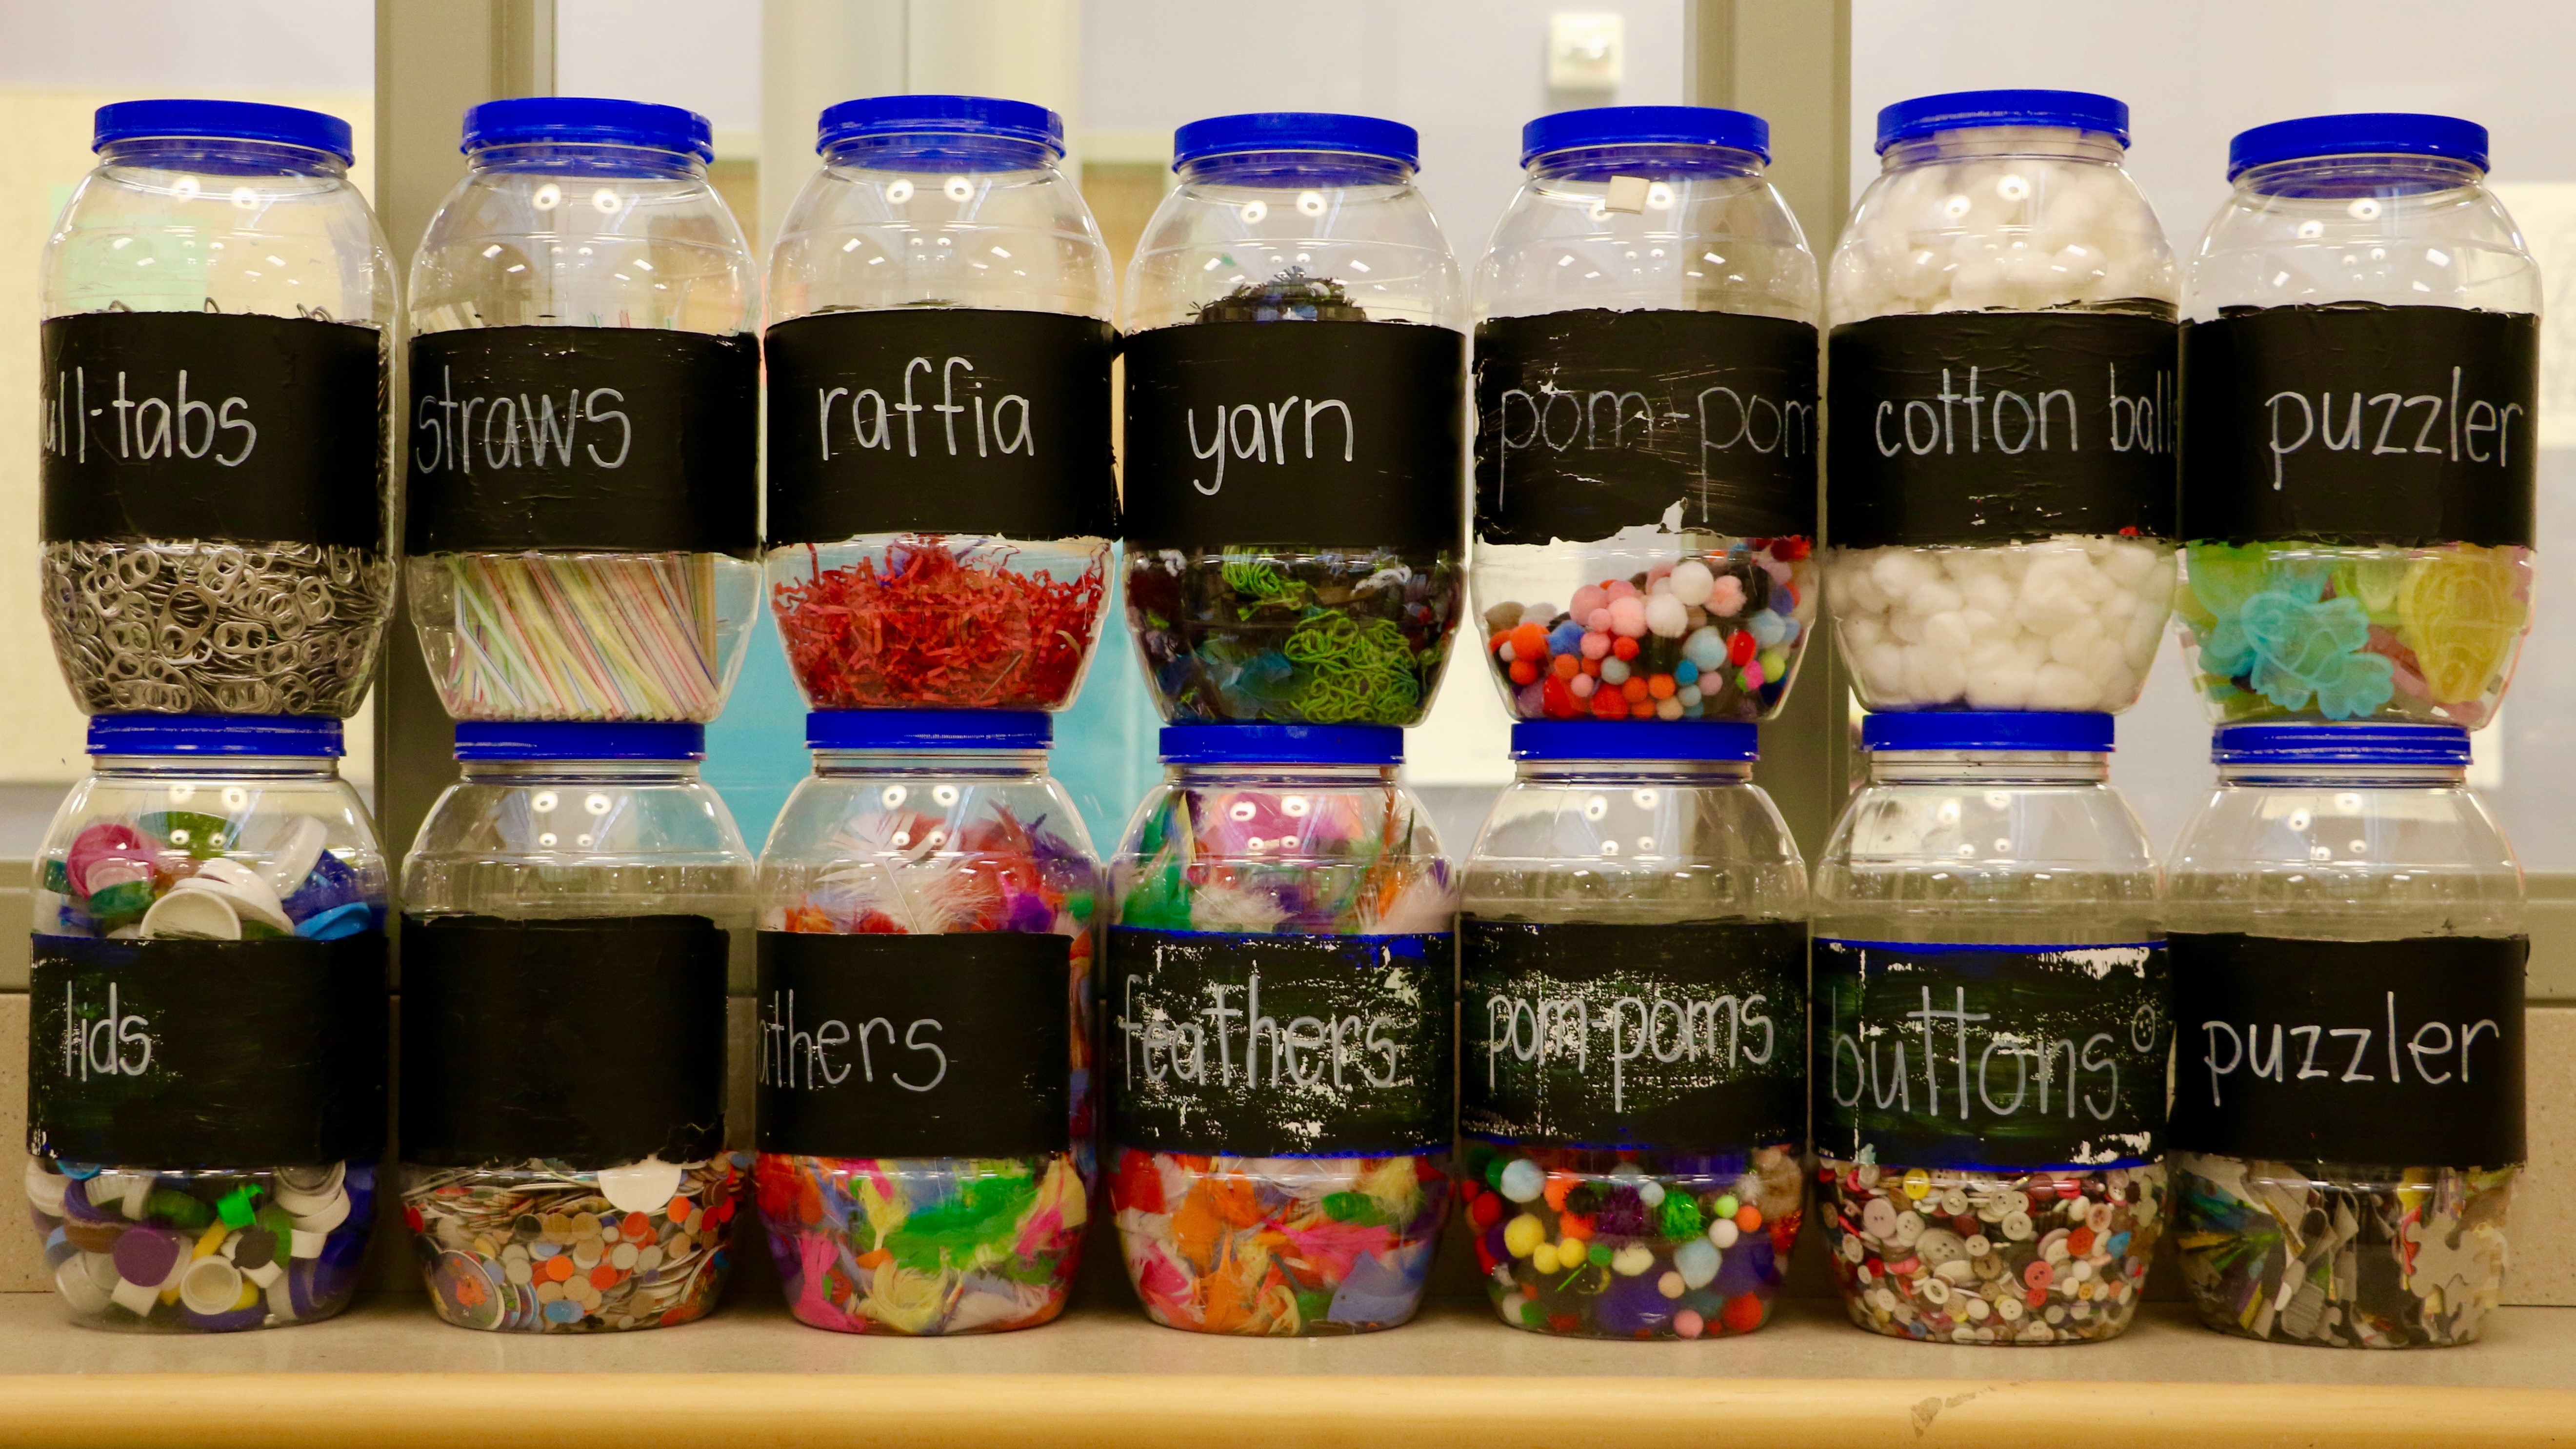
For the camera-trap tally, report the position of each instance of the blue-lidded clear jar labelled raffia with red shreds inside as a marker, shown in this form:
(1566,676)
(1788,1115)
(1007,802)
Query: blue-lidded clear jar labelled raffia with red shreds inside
(942,480)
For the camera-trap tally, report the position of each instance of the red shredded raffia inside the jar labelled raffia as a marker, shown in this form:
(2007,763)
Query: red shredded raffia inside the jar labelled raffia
(939,627)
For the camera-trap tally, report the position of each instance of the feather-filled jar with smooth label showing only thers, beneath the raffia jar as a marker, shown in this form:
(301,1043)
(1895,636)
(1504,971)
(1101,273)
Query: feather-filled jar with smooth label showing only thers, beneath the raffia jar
(929,884)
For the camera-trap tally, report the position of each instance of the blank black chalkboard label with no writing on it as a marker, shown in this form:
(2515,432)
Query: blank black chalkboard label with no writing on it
(596,1044)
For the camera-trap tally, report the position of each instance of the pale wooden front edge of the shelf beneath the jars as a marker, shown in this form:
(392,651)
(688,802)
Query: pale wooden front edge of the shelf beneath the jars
(1320,1412)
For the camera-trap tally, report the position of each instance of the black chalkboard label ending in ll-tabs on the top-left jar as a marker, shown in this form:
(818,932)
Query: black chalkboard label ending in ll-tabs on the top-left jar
(215,426)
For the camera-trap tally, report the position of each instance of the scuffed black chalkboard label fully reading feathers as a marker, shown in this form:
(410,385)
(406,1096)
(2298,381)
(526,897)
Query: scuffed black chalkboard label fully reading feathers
(1282,1046)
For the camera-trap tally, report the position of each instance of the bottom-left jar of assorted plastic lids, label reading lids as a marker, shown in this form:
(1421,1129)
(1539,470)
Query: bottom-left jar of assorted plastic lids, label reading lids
(207,1095)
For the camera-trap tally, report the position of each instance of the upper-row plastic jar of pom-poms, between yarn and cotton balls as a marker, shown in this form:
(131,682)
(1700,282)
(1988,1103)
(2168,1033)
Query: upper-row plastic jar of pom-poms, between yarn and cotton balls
(1647,423)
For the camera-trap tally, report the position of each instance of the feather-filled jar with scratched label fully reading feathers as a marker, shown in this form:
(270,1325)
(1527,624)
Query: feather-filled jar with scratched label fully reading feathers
(1282,1046)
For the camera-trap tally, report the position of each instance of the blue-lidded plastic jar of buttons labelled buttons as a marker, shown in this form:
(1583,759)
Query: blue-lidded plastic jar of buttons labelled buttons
(1990,1031)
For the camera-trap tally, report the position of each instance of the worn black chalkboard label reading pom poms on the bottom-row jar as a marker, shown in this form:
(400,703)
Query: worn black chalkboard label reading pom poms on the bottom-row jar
(1676,1036)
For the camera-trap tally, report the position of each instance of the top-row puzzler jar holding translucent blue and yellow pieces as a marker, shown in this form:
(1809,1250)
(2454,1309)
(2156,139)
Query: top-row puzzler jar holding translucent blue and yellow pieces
(2366,390)
